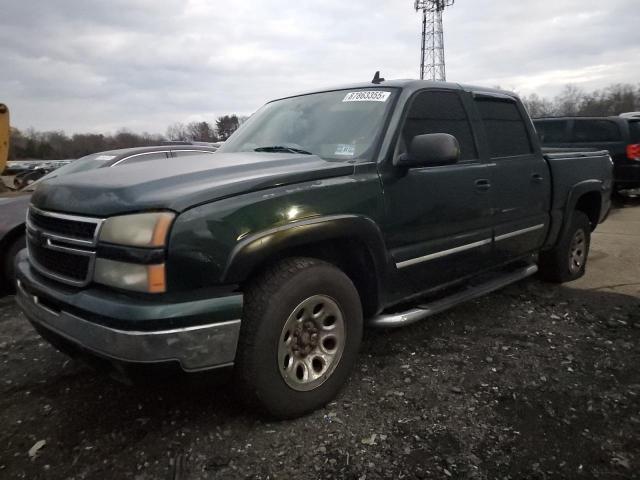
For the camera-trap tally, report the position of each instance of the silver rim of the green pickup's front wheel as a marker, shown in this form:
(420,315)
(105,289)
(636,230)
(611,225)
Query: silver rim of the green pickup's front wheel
(311,343)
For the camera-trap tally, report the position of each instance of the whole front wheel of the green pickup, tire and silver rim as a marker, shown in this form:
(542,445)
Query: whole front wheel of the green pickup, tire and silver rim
(300,335)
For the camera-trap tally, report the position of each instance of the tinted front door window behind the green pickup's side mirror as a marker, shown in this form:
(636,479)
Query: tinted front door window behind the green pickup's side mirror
(440,112)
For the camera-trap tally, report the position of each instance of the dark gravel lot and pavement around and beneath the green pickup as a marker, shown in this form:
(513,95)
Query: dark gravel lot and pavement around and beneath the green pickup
(534,381)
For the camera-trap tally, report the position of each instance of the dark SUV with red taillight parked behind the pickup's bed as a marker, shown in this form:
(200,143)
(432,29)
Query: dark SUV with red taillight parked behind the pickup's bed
(619,135)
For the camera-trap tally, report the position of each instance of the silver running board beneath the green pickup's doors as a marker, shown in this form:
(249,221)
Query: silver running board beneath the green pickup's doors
(426,310)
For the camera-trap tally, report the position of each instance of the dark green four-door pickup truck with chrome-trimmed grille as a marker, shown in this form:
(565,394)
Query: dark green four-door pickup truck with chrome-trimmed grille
(369,205)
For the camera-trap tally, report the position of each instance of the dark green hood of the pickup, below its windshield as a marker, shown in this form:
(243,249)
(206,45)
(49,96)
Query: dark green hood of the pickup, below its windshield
(180,183)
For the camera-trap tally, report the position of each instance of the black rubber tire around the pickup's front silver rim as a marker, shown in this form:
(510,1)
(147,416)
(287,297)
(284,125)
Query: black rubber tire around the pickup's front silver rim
(270,302)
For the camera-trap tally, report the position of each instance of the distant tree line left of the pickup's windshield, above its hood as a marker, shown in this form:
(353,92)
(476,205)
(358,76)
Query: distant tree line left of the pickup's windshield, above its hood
(54,145)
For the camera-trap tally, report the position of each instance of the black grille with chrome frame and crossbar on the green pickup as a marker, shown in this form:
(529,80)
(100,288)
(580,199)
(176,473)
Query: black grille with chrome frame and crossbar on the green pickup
(62,246)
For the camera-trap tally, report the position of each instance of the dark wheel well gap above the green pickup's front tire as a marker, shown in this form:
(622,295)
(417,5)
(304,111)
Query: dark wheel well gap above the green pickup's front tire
(349,255)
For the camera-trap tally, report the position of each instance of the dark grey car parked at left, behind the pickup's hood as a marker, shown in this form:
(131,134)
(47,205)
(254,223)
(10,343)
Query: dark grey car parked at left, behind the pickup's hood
(13,205)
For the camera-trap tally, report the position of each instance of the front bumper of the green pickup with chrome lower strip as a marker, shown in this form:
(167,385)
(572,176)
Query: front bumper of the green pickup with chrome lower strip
(195,346)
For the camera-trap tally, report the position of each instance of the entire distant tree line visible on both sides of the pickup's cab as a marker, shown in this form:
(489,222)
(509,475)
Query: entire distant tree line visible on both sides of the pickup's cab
(571,101)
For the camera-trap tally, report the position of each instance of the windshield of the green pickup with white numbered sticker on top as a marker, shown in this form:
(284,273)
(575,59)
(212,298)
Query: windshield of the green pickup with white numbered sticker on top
(340,125)
